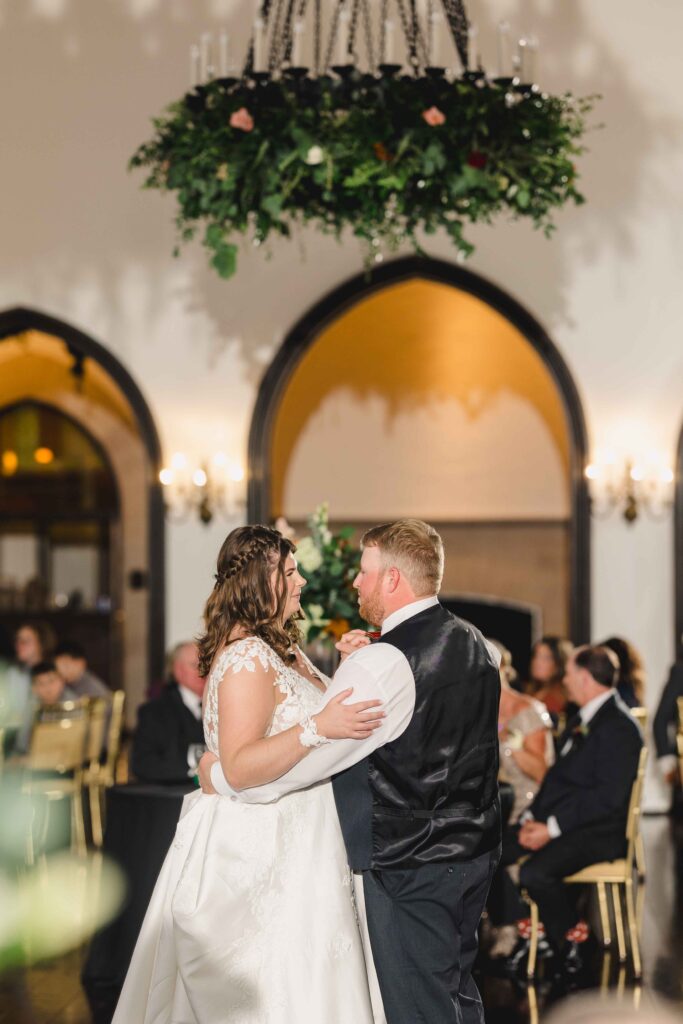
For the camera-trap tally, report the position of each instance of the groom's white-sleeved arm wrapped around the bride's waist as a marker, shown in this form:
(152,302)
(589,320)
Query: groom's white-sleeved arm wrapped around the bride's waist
(377,672)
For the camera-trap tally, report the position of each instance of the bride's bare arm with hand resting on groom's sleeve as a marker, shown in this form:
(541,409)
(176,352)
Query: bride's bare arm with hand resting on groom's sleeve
(246,706)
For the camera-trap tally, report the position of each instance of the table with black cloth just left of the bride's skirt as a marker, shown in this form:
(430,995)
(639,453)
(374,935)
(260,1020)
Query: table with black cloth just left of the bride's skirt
(141,825)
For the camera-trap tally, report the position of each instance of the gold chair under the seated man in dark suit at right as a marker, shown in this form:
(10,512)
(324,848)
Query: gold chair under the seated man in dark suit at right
(616,874)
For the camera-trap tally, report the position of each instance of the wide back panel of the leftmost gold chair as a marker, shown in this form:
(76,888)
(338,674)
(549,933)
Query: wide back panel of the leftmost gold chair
(59,741)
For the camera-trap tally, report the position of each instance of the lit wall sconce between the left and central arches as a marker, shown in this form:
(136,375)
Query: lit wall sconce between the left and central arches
(204,490)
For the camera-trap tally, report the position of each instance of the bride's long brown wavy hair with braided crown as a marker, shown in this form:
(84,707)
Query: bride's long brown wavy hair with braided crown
(243,595)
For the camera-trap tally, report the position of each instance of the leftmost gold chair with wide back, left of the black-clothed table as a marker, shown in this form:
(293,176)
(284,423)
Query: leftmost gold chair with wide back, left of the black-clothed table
(54,766)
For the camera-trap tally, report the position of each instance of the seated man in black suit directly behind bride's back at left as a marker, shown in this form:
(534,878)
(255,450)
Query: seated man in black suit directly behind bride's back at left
(169,739)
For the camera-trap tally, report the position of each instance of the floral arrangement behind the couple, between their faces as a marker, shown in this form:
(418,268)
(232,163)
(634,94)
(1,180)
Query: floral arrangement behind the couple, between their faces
(330,564)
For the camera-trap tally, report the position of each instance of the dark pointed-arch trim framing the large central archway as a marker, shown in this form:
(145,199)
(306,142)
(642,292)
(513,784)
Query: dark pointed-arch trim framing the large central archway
(306,332)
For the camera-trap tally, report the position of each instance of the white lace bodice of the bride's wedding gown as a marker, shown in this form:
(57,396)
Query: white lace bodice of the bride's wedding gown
(302,697)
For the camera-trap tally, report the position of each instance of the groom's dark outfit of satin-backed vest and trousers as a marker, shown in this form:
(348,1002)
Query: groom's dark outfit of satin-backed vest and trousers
(421,821)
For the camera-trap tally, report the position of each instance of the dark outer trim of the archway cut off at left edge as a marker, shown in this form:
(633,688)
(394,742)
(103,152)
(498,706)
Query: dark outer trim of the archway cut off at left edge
(19,320)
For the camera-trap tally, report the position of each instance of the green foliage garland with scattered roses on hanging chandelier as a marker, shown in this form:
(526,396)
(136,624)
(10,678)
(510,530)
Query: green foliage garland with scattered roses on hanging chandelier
(383,156)
